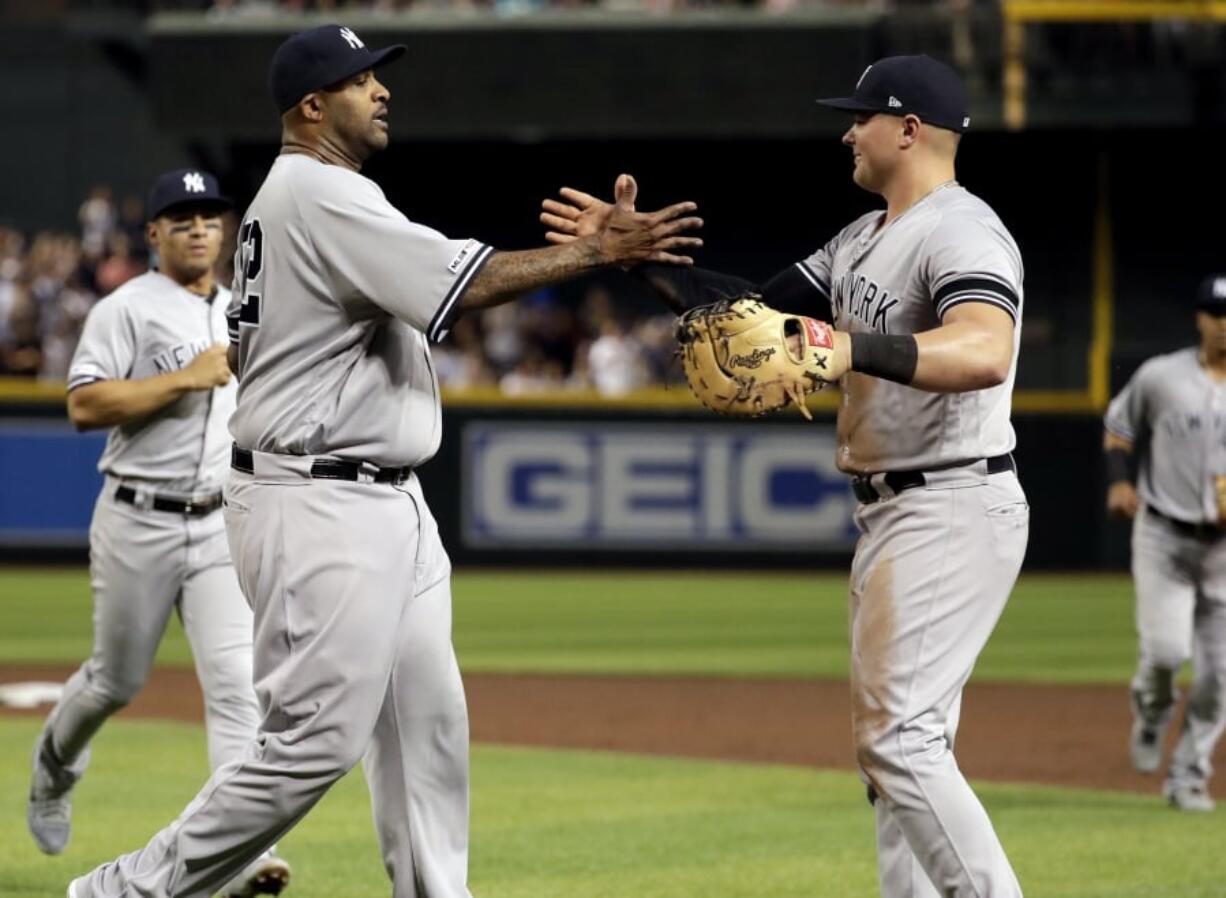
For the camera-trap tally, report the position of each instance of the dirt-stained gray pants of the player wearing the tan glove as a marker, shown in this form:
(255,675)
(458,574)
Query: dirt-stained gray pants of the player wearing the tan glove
(932,574)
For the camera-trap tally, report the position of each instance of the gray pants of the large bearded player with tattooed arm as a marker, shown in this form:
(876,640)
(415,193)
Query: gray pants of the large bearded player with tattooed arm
(354,661)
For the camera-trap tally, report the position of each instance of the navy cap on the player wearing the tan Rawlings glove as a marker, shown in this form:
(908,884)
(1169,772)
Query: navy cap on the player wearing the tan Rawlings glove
(919,86)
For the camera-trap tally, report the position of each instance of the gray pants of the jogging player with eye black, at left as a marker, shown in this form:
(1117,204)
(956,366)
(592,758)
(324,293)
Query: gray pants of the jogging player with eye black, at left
(143,566)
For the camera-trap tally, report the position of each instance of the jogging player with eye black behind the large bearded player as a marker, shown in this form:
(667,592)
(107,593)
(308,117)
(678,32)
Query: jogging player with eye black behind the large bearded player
(151,366)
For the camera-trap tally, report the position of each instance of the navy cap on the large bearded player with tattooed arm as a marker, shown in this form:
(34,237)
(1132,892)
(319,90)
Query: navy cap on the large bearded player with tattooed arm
(312,61)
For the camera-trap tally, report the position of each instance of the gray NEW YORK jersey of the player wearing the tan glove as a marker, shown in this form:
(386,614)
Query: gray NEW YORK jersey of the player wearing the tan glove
(948,250)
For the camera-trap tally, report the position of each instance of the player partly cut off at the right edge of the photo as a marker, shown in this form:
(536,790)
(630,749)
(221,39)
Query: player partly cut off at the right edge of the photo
(1171,419)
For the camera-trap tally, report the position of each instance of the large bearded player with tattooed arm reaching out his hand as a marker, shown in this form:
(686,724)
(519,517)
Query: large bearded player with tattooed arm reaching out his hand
(337,299)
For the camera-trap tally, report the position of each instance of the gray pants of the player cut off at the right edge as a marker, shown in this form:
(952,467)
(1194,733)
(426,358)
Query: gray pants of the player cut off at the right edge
(1181,615)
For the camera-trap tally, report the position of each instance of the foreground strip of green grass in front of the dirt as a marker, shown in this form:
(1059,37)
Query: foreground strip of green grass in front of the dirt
(557,825)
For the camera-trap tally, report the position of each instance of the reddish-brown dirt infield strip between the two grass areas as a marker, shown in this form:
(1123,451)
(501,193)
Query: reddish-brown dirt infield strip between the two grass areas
(1062,735)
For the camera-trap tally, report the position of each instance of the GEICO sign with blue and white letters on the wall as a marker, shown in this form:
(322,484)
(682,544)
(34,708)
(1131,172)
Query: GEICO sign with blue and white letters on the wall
(654,486)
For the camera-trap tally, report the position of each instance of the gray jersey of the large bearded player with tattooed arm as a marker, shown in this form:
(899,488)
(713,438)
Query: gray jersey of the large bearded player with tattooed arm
(333,309)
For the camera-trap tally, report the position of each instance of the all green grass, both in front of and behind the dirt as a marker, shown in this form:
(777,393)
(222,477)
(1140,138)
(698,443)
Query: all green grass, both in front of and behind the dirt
(595,825)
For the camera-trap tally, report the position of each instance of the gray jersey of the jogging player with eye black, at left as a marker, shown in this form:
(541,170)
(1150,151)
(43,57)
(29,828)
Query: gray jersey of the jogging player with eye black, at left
(151,326)
